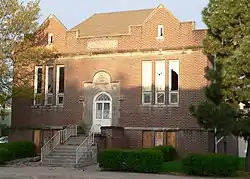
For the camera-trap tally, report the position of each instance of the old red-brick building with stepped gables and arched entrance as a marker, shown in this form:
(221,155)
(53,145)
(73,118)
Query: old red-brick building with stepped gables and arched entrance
(139,70)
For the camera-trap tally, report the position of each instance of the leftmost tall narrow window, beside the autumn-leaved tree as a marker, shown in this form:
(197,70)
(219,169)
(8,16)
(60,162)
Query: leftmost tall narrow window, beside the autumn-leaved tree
(38,81)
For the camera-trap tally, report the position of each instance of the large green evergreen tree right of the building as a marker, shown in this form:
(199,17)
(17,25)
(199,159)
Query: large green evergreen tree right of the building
(227,41)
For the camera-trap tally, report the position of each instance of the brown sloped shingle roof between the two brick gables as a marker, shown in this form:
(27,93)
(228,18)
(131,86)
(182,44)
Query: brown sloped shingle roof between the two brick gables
(112,23)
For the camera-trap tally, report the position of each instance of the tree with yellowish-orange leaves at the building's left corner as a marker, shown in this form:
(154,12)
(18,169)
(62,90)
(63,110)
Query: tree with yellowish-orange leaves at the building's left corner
(19,47)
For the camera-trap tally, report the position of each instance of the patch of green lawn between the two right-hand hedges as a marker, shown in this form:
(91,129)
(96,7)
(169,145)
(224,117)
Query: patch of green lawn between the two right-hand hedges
(172,167)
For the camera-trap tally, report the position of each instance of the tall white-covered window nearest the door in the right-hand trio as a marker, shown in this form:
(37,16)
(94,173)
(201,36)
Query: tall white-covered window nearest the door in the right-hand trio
(146,82)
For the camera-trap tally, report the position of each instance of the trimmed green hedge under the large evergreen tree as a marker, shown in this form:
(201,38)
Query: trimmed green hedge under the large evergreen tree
(210,165)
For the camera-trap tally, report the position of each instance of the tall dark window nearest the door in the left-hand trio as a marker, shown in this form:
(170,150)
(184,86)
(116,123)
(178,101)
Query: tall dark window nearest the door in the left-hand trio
(60,85)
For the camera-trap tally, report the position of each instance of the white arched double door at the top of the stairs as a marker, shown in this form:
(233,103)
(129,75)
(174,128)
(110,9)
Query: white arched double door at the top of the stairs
(102,111)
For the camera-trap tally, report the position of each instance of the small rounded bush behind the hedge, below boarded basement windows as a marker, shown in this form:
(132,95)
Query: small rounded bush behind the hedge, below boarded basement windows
(169,152)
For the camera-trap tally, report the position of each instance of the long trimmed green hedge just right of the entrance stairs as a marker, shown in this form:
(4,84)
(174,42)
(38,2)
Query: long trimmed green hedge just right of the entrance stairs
(141,160)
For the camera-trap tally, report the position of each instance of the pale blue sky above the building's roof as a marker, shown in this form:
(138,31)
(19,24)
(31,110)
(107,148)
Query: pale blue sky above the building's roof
(73,12)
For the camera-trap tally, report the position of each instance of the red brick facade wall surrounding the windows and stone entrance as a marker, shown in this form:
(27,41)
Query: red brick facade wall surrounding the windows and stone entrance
(125,68)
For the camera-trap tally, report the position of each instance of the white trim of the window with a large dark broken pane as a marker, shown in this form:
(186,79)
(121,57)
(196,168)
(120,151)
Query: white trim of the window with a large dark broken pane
(170,83)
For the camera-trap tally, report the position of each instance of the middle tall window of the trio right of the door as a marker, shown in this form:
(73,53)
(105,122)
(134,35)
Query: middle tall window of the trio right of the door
(160,82)
